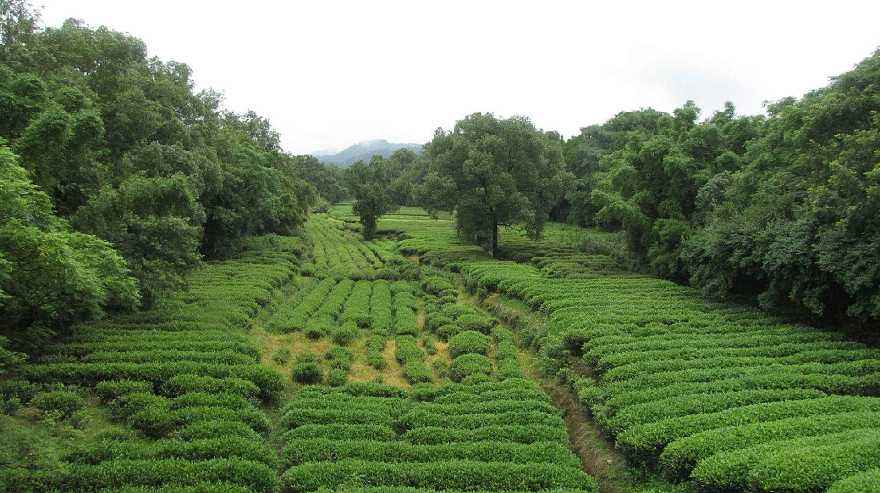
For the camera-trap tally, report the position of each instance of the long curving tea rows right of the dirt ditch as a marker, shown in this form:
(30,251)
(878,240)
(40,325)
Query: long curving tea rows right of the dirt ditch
(720,395)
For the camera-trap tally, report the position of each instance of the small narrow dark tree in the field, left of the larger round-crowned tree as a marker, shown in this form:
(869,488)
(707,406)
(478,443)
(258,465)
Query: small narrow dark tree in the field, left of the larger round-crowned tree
(369,185)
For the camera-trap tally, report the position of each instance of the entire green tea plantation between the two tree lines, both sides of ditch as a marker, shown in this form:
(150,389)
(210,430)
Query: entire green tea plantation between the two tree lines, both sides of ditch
(322,362)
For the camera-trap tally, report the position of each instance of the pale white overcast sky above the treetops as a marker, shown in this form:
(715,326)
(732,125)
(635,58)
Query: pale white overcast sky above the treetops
(331,73)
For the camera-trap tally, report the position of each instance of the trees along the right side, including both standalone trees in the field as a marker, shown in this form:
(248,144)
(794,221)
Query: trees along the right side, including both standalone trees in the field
(781,209)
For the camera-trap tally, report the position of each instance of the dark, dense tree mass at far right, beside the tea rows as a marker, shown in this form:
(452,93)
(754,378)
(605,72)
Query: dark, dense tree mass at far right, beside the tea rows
(798,224)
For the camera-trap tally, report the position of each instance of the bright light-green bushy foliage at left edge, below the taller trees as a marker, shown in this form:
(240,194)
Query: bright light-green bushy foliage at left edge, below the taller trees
(50,276)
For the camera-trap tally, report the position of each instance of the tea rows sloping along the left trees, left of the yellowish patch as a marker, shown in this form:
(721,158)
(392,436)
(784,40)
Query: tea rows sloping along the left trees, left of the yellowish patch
(182,381)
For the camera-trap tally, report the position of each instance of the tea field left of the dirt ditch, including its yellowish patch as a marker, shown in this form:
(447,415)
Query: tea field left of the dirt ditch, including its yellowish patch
(319,362)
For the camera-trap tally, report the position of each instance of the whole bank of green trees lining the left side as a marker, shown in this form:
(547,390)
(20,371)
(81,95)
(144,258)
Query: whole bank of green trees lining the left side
(117,177)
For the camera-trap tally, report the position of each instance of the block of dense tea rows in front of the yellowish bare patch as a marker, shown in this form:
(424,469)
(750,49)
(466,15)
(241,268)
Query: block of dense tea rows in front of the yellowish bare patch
(487,437)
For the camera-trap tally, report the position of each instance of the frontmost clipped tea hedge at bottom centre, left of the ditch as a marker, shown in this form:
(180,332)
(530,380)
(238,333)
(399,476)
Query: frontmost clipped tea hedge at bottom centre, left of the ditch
(437,475)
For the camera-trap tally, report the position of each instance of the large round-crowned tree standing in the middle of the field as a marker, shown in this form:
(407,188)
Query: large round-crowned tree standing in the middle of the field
(494,172)
